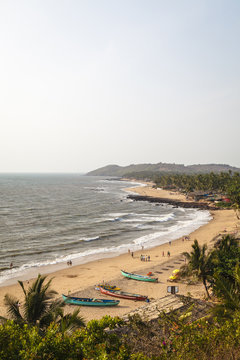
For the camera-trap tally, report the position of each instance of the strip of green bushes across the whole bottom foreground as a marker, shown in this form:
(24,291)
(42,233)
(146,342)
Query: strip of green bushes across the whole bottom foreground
(179,338)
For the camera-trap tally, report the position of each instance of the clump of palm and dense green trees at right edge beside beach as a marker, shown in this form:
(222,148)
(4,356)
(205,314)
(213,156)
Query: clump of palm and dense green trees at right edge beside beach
(220,268)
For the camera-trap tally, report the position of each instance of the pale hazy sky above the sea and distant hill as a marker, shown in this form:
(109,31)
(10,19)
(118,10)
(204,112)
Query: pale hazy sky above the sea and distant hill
(87,83)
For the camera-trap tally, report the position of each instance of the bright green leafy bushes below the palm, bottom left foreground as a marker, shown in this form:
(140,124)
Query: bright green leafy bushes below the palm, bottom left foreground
(93,342)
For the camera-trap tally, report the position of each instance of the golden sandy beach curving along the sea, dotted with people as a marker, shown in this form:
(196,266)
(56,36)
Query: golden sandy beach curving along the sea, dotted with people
(80,280)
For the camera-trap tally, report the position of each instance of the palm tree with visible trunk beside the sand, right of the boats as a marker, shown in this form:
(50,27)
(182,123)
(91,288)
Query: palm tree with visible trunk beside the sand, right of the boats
(200,263)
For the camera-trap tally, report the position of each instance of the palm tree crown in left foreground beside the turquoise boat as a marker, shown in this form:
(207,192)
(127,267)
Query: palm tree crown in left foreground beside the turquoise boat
(37,308)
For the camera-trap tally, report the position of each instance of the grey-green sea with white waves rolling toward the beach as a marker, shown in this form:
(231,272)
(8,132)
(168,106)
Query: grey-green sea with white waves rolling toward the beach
(46,220)
